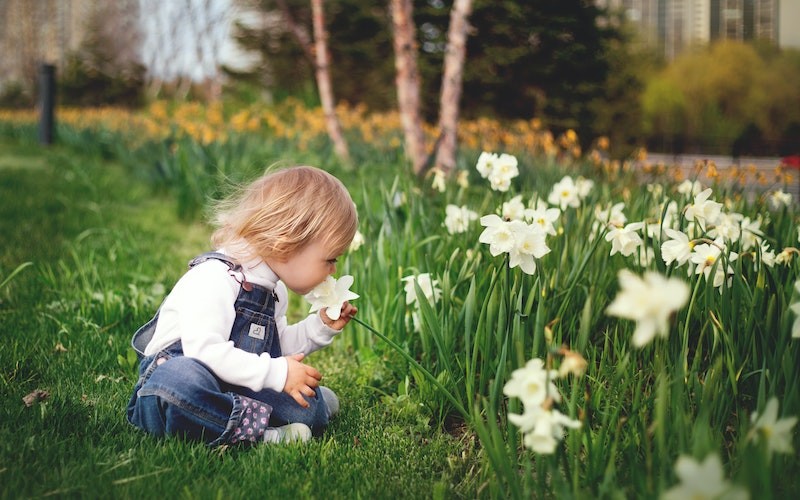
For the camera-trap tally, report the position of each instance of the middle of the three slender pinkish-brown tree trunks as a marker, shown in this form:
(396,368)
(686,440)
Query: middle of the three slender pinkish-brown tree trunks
(407,81)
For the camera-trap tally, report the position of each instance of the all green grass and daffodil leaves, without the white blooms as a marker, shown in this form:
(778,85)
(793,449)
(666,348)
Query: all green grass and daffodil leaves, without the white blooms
(106,248)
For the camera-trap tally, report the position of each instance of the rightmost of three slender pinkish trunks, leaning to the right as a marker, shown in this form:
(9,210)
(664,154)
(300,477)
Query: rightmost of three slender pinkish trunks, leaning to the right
(452,85)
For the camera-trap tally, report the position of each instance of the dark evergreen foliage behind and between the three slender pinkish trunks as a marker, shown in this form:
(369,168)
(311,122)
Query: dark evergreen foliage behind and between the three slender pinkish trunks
(543,58)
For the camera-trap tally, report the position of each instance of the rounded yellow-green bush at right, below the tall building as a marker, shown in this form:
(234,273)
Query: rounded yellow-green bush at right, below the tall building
(729,98)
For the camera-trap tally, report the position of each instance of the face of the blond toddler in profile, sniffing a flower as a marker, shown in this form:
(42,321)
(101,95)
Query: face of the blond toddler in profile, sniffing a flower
(307,268)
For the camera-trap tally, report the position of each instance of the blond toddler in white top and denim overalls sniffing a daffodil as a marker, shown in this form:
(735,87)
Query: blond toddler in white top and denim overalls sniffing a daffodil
(219,363)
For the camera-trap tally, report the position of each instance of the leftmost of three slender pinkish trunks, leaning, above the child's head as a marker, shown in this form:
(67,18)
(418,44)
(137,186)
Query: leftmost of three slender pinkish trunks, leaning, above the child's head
(324,81)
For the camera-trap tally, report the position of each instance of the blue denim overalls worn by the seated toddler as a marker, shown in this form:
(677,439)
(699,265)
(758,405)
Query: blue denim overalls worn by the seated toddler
(179,395)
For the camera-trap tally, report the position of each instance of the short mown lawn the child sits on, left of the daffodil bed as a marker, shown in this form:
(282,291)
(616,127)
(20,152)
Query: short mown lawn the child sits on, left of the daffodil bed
(104,249)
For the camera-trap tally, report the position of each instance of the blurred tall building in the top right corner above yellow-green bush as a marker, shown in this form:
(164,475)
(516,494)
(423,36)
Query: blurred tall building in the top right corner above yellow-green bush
(677,25)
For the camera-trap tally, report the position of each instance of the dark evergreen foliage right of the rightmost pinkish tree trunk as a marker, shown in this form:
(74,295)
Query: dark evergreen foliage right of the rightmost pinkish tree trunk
(541,58)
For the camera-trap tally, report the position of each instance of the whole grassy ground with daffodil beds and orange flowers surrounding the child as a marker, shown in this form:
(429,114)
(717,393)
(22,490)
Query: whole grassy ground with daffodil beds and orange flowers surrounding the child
(547,322)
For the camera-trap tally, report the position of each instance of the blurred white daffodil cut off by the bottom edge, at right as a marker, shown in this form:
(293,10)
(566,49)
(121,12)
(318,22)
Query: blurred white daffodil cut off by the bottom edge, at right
(702,480)
